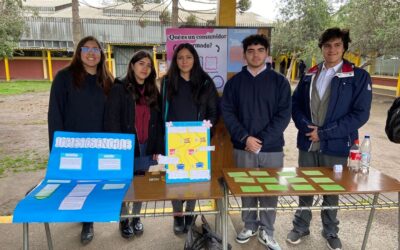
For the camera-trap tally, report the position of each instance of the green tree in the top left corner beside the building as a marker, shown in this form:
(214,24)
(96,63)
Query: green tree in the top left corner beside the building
(12,26)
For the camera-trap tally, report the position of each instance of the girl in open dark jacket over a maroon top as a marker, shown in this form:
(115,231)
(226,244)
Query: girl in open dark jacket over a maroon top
(133,106)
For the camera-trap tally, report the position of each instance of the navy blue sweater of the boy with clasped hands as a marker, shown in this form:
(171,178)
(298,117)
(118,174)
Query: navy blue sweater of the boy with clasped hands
(257,106)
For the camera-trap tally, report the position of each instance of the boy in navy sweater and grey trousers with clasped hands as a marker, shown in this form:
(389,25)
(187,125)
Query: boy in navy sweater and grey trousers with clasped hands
(256,109)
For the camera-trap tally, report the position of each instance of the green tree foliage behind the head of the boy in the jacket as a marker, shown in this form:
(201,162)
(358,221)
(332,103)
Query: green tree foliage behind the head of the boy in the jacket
(374,26)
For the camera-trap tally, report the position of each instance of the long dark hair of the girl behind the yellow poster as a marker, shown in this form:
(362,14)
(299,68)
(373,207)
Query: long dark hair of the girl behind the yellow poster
(197,75)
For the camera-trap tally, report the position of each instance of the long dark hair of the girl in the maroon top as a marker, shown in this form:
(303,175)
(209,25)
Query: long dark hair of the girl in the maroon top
(150,89)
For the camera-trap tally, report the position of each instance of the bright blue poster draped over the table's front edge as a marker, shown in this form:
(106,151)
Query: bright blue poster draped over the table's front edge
(87,177)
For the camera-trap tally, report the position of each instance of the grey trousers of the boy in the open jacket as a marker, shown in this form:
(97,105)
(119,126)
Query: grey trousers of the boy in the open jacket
(302,218)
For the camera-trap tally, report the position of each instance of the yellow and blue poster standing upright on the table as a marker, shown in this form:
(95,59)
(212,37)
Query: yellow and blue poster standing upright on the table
(188,152)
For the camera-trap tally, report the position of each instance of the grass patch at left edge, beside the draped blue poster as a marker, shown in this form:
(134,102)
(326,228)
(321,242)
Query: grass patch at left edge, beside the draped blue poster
(27,161)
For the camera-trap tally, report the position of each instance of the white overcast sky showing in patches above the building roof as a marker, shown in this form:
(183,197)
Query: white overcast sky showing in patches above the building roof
(265,8)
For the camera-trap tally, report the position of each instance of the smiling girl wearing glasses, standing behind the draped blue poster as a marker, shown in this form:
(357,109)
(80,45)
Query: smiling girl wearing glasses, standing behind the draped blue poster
(78,96)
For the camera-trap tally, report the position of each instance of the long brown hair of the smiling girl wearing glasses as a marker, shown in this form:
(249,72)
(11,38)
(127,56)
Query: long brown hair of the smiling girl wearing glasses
(104,77)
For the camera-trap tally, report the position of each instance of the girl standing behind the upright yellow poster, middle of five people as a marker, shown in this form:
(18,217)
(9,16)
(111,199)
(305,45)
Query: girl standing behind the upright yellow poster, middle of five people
(189,94)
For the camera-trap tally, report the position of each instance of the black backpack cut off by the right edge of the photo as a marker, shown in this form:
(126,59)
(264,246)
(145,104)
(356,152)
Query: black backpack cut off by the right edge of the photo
(392,127)
